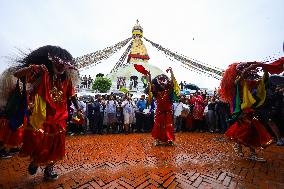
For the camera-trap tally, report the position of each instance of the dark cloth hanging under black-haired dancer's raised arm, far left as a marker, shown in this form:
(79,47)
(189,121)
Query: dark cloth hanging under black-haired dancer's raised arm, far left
(17,106)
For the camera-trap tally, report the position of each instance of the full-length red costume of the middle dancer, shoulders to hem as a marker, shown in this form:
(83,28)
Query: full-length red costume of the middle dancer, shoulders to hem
(163,125)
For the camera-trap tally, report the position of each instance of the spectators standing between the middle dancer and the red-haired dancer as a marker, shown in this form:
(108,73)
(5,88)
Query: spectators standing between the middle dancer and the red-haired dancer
(201,112)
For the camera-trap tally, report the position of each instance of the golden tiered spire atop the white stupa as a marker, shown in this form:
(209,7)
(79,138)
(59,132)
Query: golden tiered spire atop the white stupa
(138,52)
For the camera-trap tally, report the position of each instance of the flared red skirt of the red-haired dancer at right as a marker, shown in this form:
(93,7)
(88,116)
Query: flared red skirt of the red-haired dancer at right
(251,134)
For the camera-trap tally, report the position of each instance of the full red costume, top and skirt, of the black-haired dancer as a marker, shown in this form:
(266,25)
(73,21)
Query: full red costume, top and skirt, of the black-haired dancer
(47,144)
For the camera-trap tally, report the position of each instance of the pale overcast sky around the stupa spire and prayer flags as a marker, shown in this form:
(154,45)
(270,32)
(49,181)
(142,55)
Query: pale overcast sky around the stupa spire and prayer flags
(217,32)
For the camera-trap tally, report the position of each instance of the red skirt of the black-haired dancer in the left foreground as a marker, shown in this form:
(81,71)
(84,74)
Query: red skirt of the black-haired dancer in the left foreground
(46,145)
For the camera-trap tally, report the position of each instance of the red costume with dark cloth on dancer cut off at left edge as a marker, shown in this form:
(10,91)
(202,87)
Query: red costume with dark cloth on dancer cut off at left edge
(12,116)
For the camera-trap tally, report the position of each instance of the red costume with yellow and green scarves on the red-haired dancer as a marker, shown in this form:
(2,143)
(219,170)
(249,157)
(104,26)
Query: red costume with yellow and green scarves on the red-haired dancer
(246,128)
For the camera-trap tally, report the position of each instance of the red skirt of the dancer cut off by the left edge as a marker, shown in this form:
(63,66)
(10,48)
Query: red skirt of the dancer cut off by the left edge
(10,138)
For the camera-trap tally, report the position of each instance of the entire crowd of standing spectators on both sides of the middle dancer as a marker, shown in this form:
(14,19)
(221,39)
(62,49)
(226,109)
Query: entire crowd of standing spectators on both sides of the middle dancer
(197,112)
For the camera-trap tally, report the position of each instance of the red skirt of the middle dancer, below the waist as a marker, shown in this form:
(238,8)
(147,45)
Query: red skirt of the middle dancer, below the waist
(163,127)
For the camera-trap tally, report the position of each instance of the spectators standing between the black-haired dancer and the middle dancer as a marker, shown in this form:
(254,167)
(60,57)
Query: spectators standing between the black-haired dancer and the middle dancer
(111,114)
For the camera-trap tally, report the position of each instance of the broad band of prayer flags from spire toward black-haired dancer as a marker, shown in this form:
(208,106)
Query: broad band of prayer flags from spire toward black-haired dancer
(94,58)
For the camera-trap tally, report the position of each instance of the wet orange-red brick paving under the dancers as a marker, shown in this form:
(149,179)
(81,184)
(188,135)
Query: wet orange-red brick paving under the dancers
(197,160)
